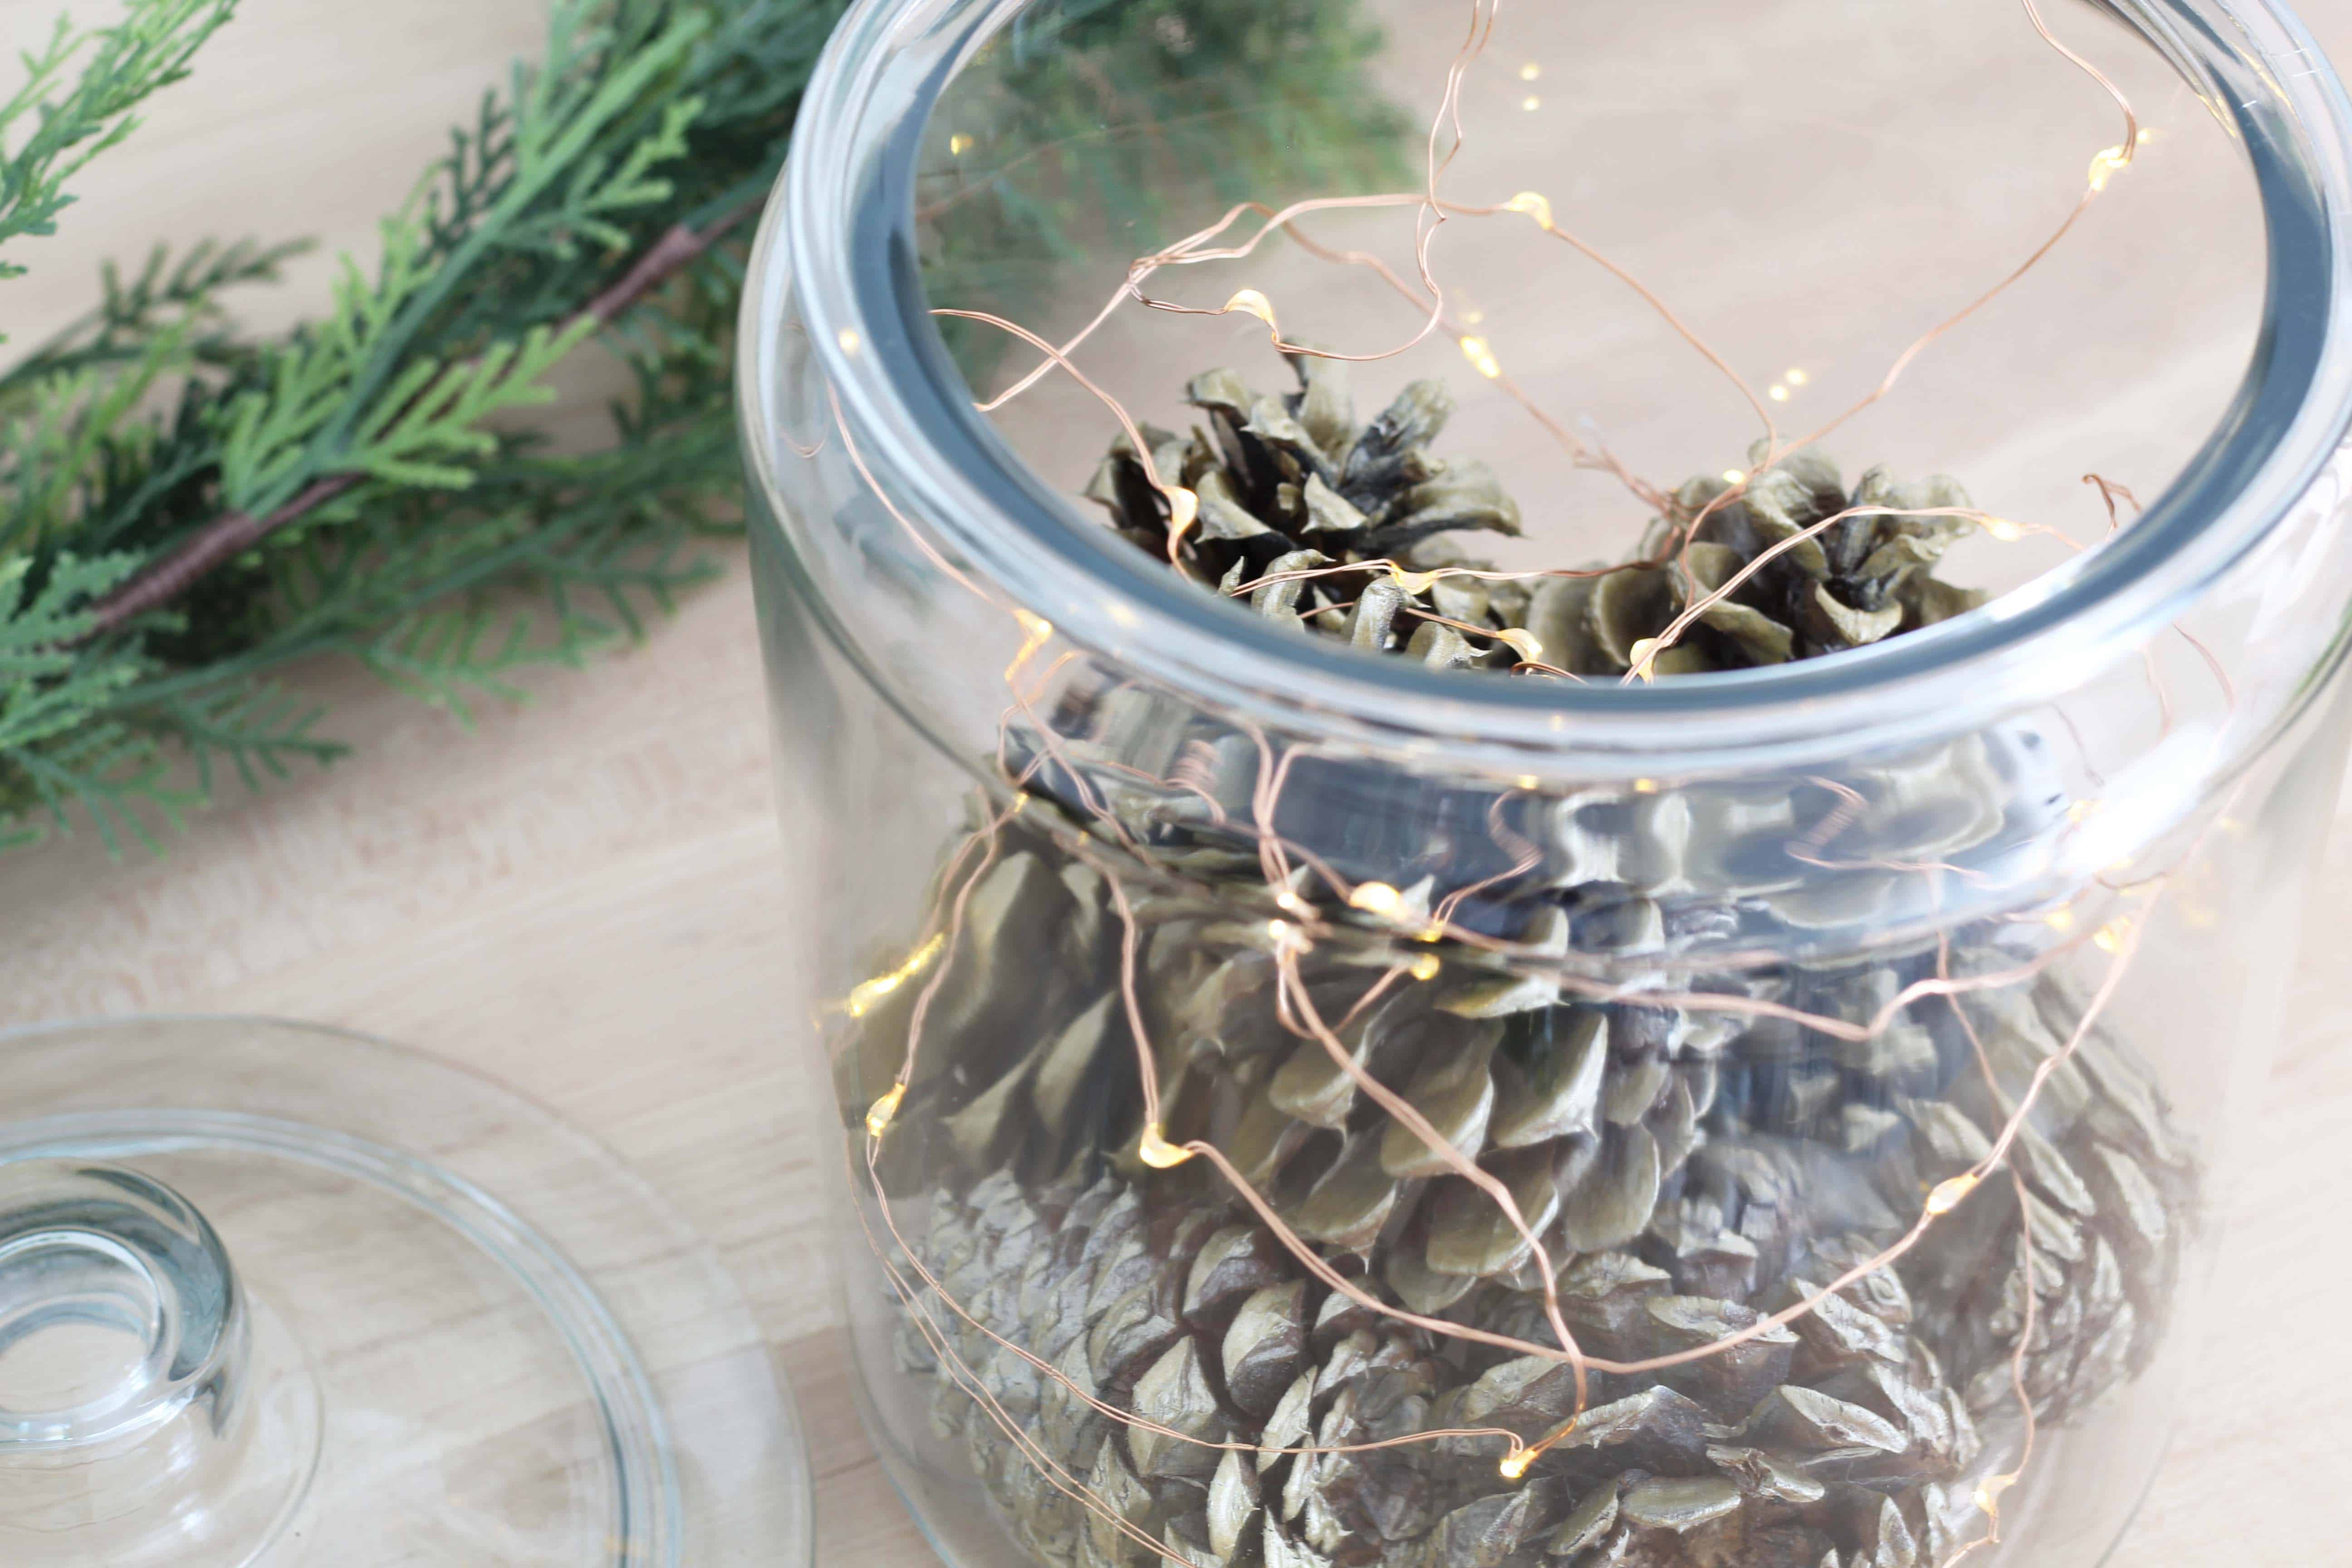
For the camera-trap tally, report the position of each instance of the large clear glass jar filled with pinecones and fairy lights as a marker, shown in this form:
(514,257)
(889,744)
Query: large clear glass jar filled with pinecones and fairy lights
(1302,1106)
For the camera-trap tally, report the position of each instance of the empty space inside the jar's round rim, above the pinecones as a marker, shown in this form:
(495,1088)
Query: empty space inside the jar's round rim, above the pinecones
(1784,206)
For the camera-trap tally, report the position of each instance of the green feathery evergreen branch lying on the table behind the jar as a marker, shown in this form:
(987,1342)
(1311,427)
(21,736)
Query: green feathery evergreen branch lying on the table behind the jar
(457,551)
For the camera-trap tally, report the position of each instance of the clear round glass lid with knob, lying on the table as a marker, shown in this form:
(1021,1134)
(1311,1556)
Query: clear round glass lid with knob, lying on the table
(274,1294)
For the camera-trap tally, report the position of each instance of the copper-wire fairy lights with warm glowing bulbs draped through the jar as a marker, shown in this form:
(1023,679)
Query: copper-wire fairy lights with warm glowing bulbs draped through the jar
(1299,927)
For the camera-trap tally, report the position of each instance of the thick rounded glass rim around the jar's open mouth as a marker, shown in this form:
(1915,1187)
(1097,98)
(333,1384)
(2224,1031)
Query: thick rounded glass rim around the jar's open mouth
(838,239)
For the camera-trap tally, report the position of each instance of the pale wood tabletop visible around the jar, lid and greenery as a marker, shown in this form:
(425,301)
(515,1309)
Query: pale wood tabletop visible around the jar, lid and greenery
(589,897)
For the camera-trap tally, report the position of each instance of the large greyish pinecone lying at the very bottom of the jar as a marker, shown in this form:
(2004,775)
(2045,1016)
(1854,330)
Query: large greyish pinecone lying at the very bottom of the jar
(1789,1452)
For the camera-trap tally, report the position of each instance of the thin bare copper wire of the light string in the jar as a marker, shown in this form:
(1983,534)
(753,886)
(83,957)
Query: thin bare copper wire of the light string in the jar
(1295,1007)
